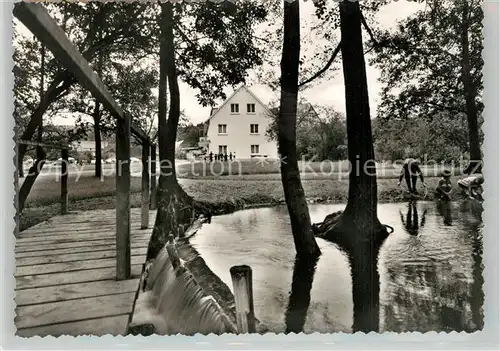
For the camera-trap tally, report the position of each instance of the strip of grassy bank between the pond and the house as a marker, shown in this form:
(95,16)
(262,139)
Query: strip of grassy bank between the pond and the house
(90,193)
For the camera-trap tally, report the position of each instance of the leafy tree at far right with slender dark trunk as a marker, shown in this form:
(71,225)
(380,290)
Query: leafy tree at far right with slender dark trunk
(431,67)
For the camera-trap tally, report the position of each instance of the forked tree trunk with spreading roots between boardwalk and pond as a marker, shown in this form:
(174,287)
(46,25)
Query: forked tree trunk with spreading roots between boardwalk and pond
(174,205)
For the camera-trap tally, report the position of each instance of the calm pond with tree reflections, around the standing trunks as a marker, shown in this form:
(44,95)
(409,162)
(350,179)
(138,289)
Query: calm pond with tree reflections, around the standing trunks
(430,267)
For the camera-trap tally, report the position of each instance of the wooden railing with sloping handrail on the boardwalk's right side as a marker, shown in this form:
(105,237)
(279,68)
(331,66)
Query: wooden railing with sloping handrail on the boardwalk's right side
(36,18)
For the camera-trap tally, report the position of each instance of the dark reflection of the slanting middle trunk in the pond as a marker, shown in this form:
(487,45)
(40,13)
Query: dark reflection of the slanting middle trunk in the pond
(300,296)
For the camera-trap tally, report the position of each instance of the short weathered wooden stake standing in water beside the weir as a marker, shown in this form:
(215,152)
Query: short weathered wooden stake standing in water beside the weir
(243,296)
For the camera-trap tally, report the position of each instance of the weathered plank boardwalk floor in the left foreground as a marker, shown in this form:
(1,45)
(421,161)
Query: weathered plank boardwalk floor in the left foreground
(66,275)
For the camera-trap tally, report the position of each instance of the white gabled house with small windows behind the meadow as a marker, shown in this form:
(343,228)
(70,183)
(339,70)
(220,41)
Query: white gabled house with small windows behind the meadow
(239,127)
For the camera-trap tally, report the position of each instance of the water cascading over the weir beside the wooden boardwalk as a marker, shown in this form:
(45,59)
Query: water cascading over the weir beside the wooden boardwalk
(170,301)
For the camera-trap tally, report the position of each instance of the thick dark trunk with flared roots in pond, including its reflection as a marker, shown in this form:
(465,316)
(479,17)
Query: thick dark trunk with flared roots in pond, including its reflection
(358,230)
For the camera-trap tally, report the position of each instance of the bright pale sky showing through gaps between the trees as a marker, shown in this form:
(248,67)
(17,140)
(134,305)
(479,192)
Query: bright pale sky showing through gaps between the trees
(327,93)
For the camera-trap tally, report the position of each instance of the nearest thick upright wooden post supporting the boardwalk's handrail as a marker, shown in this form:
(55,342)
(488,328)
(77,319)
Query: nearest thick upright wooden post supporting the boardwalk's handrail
(123,262)
